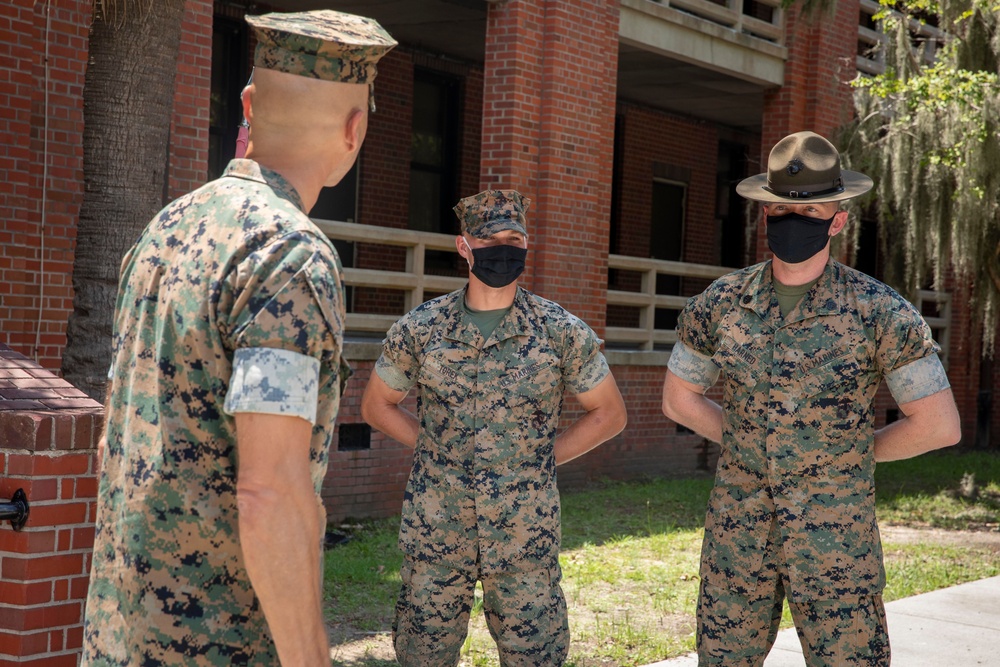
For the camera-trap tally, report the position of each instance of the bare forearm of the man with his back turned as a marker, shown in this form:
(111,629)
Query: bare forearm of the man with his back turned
(280,535)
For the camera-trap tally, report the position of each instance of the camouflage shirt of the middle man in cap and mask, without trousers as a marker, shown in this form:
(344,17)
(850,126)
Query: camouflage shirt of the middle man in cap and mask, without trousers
(483,483)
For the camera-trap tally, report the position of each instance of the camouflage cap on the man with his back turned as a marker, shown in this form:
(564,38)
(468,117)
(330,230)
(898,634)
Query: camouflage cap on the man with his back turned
(321,44)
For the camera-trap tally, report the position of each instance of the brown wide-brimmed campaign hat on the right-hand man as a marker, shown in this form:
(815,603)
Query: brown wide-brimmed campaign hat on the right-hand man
(804,167)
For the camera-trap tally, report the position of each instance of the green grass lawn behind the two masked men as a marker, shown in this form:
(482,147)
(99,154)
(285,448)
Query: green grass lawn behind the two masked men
(630,560)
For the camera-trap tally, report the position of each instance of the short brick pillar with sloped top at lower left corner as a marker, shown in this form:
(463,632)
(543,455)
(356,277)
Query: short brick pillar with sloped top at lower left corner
(48,434)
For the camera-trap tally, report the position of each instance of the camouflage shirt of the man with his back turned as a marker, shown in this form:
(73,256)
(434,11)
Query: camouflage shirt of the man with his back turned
(230,291)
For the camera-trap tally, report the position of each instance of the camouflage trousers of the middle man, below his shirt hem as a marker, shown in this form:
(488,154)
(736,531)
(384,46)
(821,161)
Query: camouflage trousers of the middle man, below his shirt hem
(525,613)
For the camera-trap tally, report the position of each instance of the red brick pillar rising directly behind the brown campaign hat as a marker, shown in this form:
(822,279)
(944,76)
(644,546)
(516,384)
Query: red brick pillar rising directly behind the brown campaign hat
(816,96)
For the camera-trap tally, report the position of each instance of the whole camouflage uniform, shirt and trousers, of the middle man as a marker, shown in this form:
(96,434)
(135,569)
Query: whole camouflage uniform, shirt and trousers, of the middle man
(482,502)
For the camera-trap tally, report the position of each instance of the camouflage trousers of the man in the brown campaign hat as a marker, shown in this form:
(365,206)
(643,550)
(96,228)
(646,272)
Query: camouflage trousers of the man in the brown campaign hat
(738,630)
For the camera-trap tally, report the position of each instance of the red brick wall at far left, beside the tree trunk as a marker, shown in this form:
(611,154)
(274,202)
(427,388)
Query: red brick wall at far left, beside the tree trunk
(41,162)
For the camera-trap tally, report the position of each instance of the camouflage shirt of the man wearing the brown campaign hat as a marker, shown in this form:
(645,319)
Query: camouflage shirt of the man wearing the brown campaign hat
(798,421)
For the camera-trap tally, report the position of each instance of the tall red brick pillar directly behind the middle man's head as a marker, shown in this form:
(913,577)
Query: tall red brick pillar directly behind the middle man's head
(548,131)
